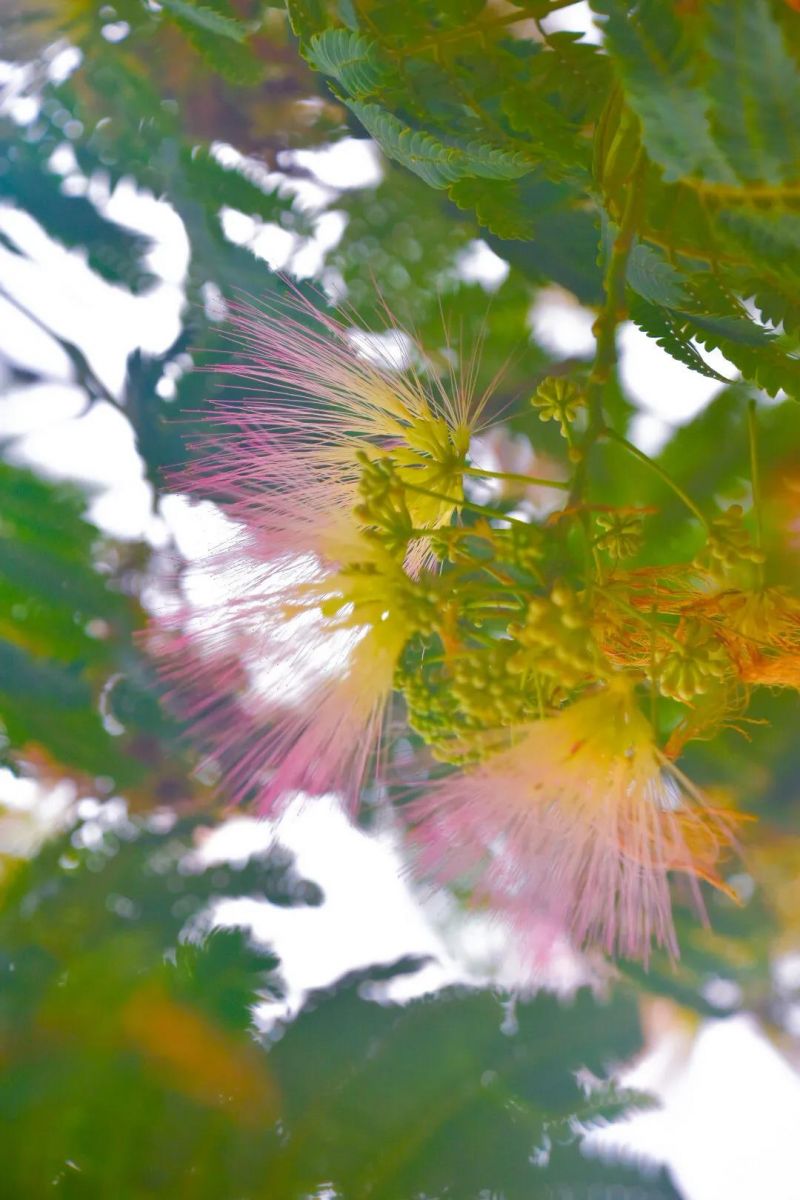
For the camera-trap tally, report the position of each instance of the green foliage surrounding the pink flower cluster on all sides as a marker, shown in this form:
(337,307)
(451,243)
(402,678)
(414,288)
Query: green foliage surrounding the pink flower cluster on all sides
(133,1065)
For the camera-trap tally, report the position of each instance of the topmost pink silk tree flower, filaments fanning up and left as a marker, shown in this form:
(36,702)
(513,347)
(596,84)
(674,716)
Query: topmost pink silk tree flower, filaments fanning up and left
(309,398)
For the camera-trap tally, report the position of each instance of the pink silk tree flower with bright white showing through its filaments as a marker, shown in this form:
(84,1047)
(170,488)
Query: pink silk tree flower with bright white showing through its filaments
(285,682)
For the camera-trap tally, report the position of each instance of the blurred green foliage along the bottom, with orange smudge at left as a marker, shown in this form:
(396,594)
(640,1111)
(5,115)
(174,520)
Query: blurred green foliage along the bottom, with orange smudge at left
(133,1064)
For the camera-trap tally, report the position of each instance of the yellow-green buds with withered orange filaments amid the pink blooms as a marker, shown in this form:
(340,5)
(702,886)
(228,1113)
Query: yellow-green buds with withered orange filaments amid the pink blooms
(491,639)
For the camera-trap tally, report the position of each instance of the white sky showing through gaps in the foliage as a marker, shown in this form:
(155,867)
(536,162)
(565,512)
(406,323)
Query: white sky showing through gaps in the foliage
(732,1103)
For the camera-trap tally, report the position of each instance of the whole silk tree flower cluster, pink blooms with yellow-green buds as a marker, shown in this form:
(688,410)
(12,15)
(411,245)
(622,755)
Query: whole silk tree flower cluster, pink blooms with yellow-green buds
(545,685)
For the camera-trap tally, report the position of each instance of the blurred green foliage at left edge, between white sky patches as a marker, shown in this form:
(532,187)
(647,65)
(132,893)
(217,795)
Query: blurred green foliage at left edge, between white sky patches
(67,643)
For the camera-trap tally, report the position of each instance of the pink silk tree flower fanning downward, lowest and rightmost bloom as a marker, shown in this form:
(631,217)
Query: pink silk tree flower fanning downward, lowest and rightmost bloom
(578,825)
